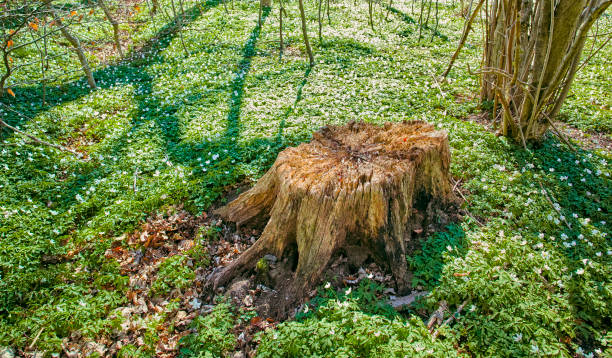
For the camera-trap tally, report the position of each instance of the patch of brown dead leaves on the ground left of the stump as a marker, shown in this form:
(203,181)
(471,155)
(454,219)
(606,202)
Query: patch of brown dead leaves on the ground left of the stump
(139,256)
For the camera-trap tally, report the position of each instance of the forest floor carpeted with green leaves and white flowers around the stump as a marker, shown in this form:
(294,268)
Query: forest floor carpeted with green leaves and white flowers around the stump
(109,253)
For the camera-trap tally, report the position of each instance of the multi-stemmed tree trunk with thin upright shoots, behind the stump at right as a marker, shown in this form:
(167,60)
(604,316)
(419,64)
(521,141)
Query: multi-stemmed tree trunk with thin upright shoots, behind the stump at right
(531,55)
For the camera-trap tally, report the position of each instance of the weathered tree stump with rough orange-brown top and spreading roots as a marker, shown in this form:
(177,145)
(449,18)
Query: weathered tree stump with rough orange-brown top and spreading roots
(359,190)
